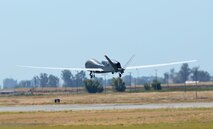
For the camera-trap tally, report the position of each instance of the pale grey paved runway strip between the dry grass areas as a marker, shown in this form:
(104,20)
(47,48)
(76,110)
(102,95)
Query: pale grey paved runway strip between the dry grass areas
(78,107)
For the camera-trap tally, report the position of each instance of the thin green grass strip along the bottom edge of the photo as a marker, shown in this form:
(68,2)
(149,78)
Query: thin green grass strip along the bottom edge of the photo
(186,125)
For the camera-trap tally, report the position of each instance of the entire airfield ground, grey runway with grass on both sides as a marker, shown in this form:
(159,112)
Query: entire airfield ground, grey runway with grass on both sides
(144,110)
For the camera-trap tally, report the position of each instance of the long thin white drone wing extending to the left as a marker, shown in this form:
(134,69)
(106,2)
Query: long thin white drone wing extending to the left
(59,68)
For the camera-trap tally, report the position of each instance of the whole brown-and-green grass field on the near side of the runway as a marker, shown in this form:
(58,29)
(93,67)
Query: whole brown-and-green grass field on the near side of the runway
(116,119)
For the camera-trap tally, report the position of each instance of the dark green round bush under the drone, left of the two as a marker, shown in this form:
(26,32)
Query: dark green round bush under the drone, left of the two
(93,86)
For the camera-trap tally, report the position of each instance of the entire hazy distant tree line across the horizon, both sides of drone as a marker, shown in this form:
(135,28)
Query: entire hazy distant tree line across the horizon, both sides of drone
(70,80)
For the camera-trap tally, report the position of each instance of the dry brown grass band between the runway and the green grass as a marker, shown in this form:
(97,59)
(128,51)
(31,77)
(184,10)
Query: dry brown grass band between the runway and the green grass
(112,117)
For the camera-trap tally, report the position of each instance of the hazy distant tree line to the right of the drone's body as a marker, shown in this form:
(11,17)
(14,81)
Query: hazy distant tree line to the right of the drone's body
(185,73)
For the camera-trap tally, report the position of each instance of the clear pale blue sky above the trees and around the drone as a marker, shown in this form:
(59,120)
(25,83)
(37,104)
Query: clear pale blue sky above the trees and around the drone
(67,33)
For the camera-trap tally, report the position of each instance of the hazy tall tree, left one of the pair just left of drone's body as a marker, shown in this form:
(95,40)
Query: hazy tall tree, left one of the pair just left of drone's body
(66,77)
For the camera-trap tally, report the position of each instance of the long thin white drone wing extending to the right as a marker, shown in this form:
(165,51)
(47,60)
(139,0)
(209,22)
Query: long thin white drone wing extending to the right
(160,65)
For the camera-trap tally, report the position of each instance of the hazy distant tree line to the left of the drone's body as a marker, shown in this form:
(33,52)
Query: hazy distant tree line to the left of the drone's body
(45,80)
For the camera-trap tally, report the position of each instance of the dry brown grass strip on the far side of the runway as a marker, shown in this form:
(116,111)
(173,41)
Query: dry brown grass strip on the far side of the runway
(140,98)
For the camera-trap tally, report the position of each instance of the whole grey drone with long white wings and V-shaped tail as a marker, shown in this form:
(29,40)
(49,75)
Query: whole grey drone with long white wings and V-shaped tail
(108,66)
